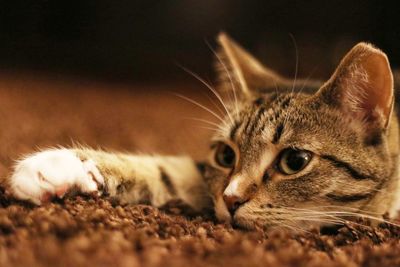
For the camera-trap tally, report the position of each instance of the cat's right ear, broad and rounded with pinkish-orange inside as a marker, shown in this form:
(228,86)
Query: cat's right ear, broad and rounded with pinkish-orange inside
(362,86)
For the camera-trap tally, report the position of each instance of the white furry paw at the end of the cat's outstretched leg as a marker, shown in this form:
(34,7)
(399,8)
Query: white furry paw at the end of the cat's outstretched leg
(52,173)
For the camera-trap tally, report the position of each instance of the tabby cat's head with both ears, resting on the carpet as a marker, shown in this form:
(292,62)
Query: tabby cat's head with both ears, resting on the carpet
(302,153)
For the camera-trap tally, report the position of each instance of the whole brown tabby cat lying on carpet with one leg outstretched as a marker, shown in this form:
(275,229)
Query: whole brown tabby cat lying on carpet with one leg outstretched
(290,154)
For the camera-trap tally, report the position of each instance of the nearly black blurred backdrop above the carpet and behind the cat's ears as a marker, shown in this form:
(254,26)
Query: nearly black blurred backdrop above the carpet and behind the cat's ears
(144,40)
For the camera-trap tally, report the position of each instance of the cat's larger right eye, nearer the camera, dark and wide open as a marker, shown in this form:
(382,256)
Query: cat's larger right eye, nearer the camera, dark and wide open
(292,161)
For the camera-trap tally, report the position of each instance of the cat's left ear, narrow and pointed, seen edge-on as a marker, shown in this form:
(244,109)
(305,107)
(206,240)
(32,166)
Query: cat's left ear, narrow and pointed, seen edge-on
(238,68)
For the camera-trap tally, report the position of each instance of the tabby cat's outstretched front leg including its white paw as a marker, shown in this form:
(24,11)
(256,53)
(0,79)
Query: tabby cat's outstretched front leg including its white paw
(154,180)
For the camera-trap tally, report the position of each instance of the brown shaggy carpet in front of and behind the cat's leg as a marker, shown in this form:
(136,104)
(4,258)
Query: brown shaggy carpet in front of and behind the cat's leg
(83,231)
